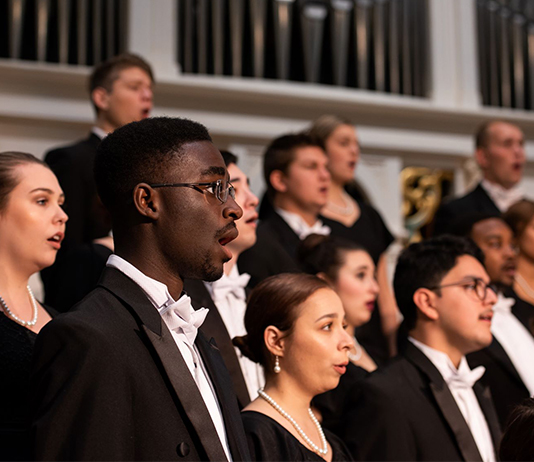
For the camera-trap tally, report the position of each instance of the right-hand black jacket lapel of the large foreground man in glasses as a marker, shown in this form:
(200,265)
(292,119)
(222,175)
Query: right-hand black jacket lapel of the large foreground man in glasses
(227,399)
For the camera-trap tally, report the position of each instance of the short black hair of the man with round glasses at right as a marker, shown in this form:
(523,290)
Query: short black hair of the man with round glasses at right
(425,264)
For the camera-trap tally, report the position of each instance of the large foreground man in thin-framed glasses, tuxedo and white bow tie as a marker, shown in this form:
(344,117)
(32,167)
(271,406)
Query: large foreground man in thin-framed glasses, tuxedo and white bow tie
(127,374)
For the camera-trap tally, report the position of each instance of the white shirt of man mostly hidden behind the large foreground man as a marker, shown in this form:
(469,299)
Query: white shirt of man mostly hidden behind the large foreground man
(228,294)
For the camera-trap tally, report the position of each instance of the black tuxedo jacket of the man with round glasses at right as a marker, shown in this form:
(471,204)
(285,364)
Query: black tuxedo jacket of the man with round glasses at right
(406,412)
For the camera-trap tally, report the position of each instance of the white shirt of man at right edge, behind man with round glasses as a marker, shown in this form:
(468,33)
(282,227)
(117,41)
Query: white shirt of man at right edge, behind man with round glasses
(515,340)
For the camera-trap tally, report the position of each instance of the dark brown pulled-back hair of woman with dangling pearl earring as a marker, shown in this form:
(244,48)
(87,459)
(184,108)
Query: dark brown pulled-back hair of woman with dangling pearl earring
(274,302)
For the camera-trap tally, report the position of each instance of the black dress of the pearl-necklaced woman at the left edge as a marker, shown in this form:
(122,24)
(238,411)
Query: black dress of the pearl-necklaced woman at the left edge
(16,349)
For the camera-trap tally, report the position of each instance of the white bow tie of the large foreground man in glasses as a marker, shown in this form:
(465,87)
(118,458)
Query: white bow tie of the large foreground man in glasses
(181,316)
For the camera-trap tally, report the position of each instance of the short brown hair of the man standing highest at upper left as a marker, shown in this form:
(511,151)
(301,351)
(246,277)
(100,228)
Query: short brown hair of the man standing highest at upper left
(108,71)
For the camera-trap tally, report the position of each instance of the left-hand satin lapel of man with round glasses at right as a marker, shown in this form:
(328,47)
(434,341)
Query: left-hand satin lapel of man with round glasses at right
(446,403)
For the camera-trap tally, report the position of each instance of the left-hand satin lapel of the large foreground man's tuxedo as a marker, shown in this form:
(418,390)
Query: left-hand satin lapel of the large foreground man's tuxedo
(171,359)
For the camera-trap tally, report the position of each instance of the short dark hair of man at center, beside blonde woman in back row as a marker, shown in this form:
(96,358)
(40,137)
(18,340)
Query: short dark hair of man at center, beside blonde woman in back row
(281,153)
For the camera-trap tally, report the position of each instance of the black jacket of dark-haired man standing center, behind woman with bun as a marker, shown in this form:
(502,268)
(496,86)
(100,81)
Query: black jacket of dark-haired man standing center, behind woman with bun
(275,250)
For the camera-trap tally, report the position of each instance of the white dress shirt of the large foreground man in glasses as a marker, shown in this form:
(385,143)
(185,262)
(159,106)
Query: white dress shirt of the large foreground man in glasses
(159,296)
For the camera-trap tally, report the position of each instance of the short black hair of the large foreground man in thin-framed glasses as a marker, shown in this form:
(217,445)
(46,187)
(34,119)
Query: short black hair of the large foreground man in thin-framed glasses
(140,152)
